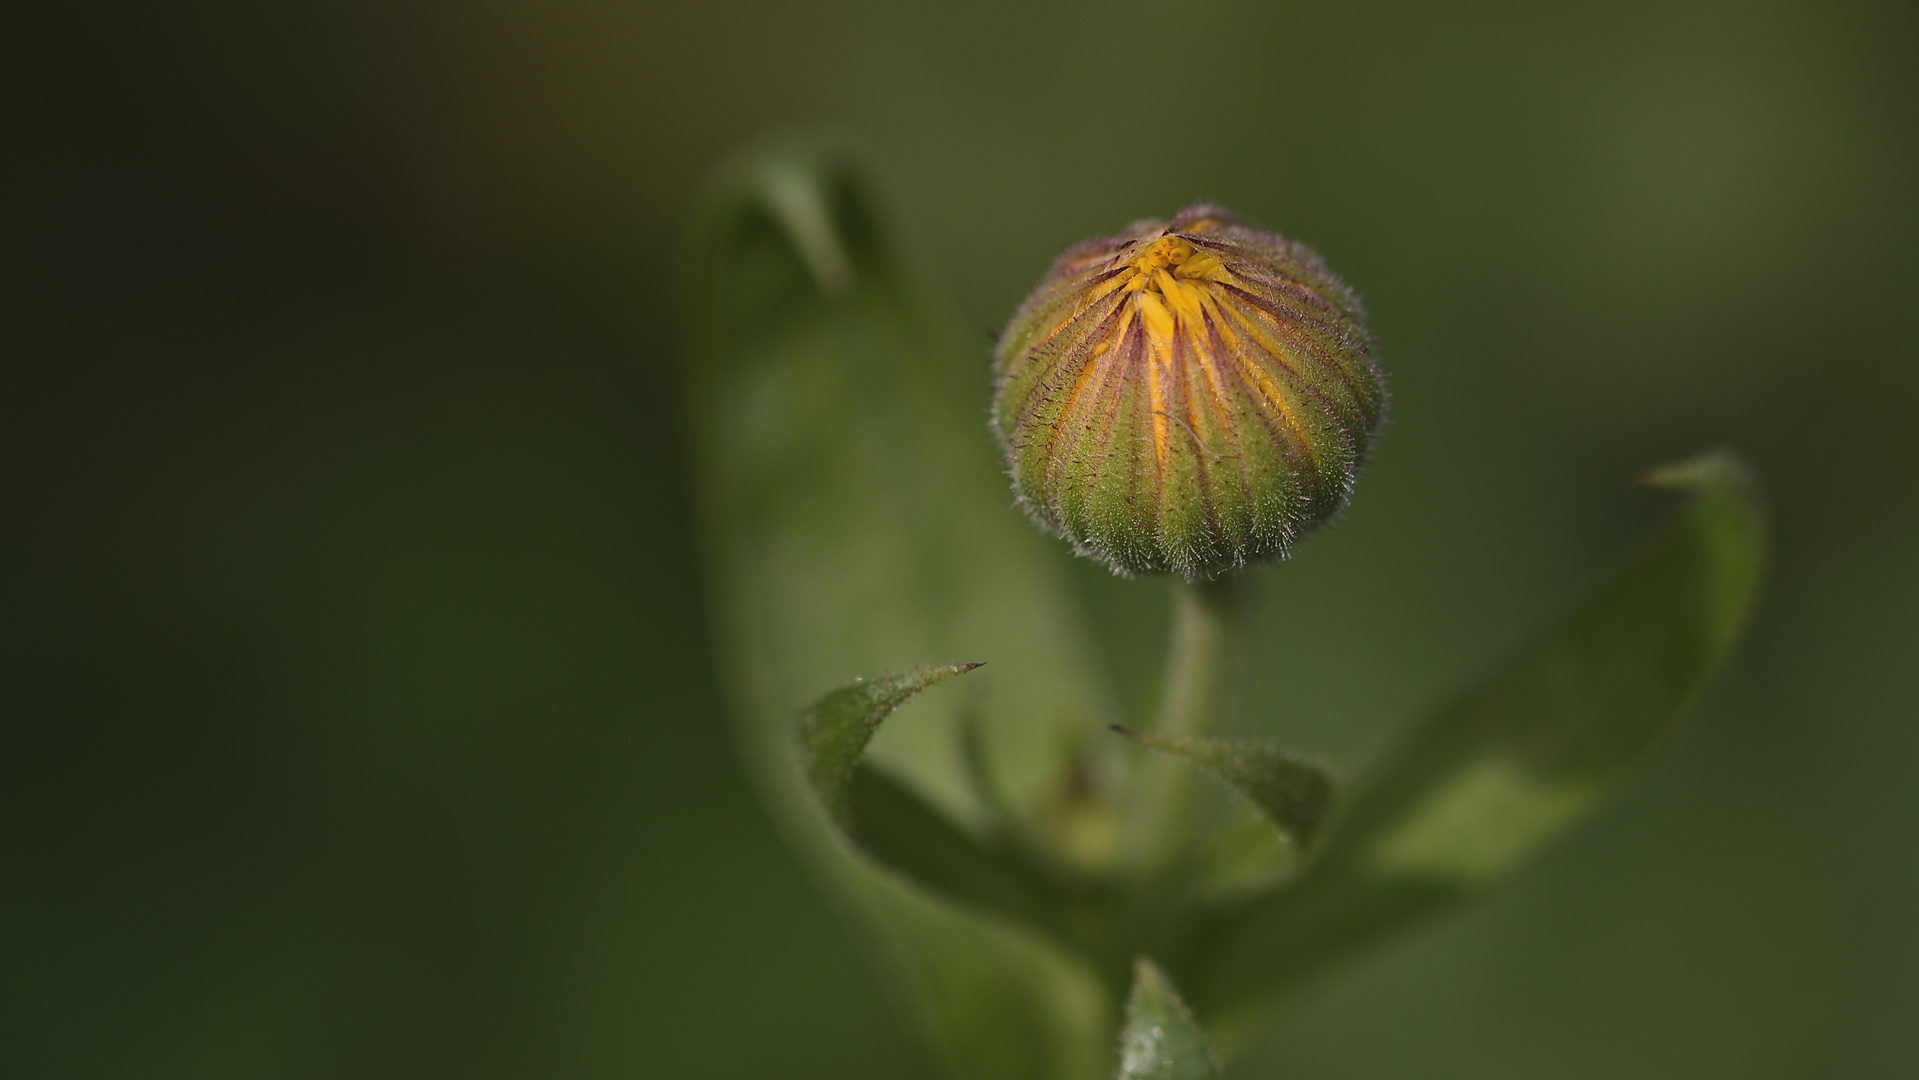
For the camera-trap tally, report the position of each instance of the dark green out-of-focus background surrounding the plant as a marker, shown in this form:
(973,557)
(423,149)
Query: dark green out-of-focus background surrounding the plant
(358,715)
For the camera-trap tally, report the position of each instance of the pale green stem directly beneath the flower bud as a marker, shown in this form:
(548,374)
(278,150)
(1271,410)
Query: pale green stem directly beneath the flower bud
(1210,636)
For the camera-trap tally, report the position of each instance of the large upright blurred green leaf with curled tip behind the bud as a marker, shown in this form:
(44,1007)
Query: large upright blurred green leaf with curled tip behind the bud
(853,521)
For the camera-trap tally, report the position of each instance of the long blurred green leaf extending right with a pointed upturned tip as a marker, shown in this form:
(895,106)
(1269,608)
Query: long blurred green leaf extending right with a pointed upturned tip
(1515,761)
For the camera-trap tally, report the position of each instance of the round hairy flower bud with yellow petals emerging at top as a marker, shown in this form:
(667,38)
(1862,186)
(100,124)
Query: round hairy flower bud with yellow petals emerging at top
(1187,398)
